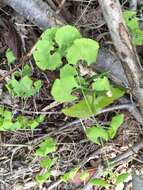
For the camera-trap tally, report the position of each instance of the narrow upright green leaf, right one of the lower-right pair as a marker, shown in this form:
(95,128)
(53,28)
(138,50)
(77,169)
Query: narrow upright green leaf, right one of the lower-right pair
(115,124)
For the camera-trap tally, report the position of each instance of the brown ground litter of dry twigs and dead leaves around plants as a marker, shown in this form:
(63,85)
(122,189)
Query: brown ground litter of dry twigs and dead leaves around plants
(18,163)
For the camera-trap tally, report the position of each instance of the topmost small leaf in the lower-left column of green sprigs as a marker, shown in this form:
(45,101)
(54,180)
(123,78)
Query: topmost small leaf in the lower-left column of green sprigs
(46,147)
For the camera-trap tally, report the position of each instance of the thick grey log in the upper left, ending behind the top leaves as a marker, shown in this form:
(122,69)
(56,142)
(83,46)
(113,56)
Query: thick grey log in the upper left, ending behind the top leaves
(37,12)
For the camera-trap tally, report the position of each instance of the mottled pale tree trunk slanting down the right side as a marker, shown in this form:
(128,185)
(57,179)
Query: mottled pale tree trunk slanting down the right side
(112,12)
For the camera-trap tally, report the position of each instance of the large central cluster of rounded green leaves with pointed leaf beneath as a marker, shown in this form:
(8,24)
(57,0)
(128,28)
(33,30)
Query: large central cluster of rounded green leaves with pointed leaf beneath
(64,49)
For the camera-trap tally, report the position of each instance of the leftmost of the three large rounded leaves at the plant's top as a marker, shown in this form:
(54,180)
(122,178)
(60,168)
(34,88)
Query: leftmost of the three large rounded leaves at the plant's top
(42,51)
